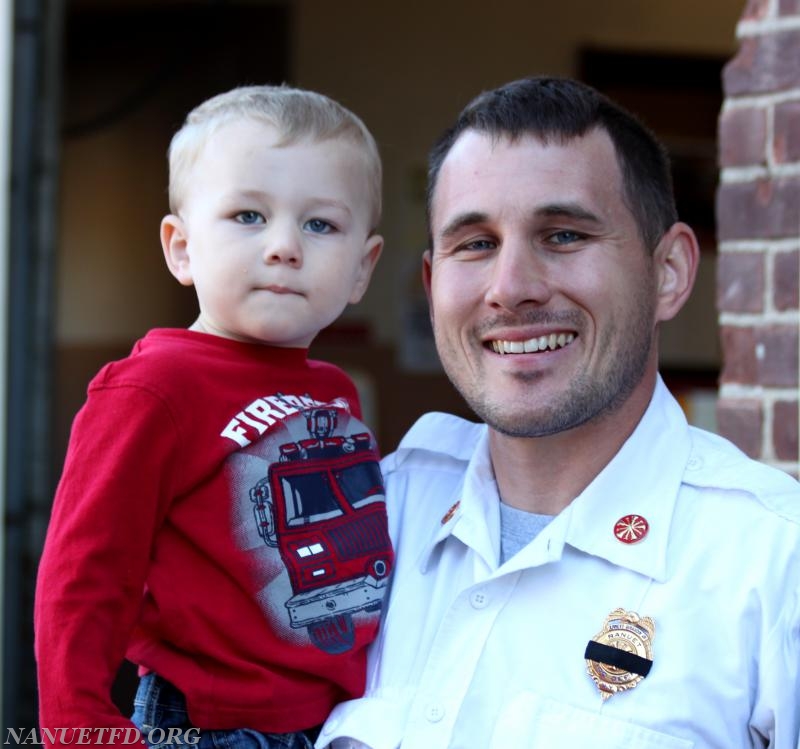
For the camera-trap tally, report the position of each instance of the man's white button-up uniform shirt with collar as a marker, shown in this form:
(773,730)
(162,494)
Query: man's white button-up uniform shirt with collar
(476,656)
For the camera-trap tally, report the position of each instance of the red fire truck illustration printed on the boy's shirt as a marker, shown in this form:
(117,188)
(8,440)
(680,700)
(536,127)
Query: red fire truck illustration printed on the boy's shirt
(322,506)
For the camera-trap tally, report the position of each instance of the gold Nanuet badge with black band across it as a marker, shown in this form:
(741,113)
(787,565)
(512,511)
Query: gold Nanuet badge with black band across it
(620,656)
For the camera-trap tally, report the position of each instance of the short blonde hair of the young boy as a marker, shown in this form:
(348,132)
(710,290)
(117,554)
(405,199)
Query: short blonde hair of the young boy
(295,113)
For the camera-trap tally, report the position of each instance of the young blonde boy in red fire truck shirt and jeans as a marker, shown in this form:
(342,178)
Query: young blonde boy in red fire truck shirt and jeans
(220,520)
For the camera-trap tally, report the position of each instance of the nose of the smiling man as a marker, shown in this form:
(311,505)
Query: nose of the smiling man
(518,276)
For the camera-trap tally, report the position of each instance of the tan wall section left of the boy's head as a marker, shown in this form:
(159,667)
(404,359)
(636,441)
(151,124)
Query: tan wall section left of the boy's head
(112,282)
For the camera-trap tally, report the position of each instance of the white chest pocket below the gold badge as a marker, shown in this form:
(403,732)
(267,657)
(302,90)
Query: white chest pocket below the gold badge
(531,721)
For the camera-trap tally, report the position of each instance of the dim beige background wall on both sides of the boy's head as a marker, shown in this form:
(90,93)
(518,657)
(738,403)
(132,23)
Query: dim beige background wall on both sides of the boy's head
(406,68)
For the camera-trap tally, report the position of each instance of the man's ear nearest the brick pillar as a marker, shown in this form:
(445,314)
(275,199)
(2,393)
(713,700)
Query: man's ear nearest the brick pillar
(676,258)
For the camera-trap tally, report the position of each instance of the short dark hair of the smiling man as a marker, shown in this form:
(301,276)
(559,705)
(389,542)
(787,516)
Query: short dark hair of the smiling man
(560,109)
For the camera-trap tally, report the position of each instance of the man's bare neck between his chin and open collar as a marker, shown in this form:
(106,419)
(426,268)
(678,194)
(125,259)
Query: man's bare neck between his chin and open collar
(544,474)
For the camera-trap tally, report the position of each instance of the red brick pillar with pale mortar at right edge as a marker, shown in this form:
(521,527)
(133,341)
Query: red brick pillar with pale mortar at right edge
(758,227)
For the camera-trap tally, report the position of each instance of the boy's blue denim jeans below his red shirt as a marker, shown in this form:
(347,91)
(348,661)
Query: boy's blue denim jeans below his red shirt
(159,712)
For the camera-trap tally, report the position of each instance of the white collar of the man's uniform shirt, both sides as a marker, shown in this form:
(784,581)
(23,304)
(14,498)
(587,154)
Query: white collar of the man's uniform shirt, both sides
(642,479)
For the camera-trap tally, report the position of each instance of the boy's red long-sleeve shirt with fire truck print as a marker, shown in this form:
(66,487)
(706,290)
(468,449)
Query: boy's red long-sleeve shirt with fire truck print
(205,531)
